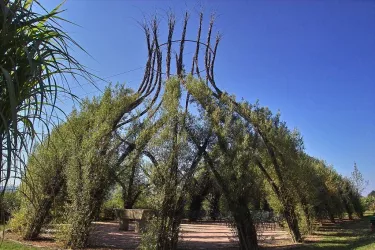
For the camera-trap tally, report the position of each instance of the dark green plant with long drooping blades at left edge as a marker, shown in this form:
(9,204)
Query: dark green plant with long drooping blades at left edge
(35,65)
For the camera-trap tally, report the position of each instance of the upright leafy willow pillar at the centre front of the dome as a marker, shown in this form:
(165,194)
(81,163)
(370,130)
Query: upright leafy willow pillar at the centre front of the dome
(169,149)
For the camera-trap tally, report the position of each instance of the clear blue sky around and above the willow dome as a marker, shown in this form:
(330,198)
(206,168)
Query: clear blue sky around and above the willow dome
(312,60)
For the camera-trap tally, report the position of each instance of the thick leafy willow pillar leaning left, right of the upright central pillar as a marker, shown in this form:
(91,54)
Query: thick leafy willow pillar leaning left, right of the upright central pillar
(231,160)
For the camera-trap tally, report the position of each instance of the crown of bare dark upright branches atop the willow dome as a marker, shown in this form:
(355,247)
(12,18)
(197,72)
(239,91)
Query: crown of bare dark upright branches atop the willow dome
(156,71)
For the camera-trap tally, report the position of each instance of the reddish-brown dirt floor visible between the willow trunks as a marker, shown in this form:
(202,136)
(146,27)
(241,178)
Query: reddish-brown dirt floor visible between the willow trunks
(105,235)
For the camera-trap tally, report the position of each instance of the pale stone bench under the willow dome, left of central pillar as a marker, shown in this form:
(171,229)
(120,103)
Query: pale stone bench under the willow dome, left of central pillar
(140,216)
